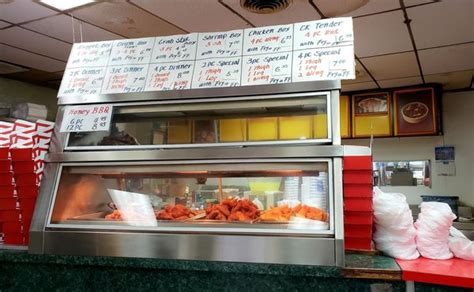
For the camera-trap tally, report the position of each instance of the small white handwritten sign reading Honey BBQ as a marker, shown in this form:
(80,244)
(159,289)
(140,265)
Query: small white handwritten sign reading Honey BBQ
(86,118)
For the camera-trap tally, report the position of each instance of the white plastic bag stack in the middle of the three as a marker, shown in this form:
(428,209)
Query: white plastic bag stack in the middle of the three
(433,224)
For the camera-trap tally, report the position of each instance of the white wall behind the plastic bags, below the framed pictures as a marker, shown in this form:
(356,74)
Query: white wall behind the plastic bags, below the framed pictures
(458,122)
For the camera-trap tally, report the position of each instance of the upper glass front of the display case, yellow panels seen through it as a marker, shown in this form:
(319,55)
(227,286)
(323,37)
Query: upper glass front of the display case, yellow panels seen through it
(299,118)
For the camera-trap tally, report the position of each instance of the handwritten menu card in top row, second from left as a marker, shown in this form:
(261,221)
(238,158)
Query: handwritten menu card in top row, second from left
(136,51)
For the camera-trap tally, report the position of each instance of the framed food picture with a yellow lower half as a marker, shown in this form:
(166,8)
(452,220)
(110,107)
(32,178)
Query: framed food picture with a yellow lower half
(371,115)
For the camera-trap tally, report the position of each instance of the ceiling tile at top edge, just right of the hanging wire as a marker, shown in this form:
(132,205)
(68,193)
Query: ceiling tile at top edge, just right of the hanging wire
(126,19)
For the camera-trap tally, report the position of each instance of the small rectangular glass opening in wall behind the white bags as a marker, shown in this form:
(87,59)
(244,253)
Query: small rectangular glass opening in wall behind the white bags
(402,173)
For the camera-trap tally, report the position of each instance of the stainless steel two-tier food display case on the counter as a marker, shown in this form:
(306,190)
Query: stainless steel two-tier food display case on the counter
(64,220)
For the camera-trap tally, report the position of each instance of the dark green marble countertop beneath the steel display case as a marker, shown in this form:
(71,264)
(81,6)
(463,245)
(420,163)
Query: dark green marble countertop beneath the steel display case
(357,265)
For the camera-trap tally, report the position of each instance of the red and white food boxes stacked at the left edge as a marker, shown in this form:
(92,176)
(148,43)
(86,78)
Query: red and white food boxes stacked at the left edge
(23,148)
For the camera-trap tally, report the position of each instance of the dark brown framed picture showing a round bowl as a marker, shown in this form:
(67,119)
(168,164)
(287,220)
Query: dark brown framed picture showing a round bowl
(415,112)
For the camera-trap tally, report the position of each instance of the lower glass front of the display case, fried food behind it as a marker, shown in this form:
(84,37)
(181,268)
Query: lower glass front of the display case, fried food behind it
(261,195)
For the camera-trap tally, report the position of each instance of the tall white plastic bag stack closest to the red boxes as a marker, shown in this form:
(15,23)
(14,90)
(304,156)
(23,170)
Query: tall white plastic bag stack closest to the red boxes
(394,231)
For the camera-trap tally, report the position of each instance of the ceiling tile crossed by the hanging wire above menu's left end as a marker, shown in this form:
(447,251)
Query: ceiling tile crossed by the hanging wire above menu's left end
(60,27)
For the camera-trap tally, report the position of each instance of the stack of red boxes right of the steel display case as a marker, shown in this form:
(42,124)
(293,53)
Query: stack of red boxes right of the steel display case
(358,212)
